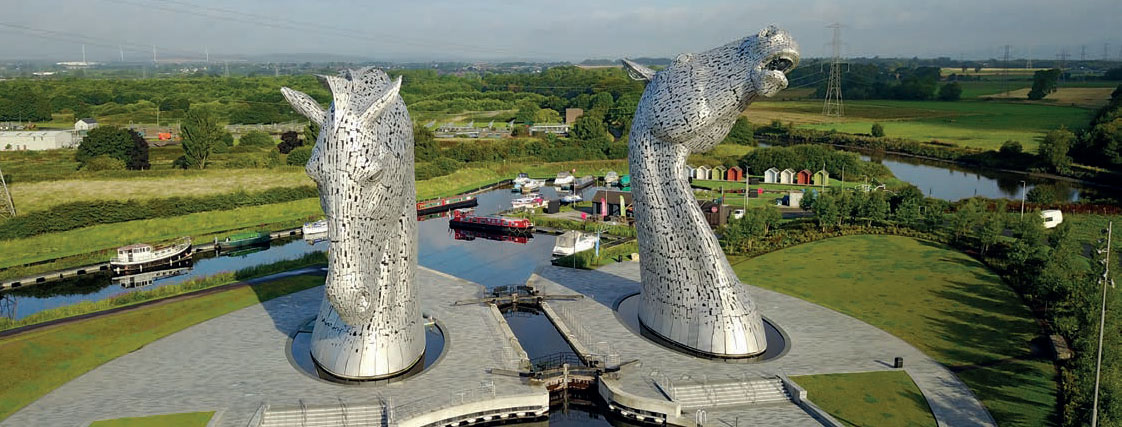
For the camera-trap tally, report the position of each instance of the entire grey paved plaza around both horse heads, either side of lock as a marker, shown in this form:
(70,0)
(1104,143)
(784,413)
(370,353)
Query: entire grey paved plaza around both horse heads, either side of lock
(236,364)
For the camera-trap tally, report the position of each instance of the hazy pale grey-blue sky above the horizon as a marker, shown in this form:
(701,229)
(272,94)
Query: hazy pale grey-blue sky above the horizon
(547,31)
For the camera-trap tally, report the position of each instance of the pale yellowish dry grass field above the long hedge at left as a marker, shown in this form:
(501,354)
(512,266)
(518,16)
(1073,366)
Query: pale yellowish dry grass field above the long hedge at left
(30,197)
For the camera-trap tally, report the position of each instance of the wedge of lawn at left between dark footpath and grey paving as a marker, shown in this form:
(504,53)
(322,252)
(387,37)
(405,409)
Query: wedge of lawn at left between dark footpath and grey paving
(40,361)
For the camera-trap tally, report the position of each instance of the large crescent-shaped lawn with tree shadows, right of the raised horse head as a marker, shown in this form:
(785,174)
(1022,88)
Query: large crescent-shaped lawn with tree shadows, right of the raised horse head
(943,302)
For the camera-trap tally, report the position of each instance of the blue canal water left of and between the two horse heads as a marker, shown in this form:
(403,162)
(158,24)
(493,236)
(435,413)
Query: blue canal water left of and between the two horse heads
(483,258)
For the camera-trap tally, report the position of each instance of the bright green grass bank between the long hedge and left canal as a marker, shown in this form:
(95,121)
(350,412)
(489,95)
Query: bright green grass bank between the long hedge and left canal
(201,227)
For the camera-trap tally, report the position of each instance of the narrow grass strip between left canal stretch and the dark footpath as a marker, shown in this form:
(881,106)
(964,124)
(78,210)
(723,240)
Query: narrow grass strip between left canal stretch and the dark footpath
(165,292)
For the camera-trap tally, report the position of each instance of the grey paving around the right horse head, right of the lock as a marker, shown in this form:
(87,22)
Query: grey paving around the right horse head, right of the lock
(823,341)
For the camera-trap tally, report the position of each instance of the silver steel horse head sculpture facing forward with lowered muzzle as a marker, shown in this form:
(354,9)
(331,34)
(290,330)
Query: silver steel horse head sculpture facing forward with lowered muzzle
(363,164)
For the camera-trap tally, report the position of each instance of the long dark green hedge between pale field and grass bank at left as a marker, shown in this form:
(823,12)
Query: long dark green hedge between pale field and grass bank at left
(81,215)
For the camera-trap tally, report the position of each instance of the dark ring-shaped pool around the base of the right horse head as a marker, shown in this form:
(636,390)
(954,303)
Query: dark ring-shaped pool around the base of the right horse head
(628,313)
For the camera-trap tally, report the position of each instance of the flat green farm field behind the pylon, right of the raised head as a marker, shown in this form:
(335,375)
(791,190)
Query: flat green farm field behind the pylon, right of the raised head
(967,124)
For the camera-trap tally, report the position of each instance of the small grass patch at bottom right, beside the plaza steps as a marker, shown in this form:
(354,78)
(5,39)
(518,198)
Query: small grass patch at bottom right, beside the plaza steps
(887,398)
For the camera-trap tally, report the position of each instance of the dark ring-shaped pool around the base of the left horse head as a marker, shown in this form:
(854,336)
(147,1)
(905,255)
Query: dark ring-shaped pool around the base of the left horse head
(299,351)
